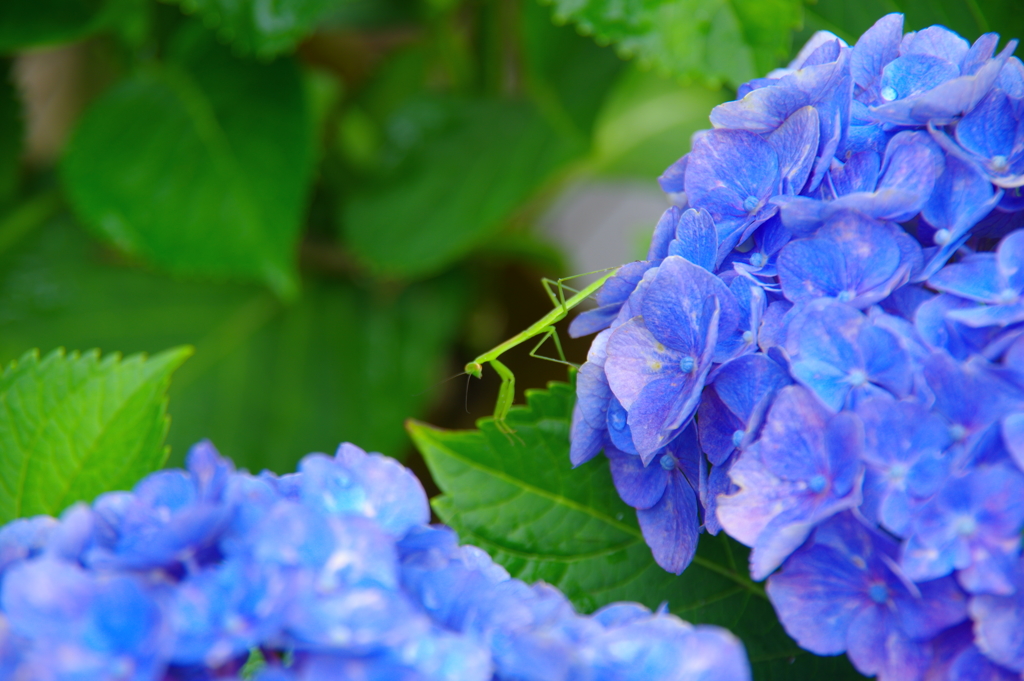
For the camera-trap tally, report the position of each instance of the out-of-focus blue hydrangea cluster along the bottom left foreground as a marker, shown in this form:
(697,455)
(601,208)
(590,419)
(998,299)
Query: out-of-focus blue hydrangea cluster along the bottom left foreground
(330,573)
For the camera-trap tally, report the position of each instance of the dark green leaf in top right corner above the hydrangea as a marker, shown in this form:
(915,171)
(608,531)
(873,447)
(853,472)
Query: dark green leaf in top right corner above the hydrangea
(968,18)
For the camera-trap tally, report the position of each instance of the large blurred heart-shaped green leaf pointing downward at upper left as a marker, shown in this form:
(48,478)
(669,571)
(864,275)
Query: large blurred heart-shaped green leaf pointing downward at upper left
(200,166)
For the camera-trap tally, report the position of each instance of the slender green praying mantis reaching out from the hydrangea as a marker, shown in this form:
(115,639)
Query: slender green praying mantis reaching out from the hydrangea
(545,328)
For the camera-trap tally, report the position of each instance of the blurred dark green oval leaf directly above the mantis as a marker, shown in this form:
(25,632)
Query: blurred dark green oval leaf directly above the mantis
(459,190)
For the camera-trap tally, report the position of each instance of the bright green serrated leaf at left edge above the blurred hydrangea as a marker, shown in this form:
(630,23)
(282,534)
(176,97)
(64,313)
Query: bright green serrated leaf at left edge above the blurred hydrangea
(75,427)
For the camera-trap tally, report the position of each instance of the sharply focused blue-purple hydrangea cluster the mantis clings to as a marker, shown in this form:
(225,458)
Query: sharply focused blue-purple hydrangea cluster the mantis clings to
(824,353)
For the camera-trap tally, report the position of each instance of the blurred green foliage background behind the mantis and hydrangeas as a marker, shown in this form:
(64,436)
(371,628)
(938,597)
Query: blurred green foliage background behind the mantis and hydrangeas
(339,203)
